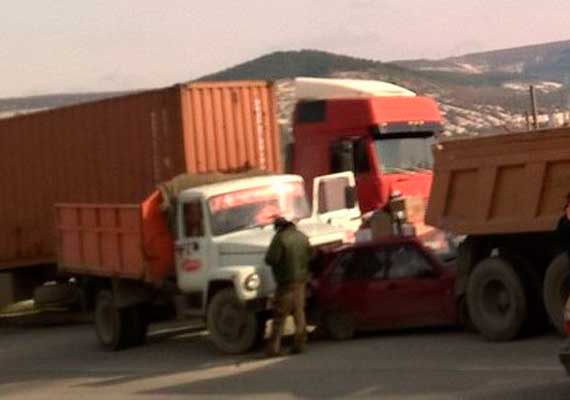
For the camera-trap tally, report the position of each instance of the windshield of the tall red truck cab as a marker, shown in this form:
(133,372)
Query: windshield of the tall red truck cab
(397,154)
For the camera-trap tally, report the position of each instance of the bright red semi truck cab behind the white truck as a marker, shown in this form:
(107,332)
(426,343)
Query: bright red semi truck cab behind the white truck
(385,140)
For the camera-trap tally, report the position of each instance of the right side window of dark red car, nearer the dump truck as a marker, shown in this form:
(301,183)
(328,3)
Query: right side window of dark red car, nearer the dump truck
(407,261)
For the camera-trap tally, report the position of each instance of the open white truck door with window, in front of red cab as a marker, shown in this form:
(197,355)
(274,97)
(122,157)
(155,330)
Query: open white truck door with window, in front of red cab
(334,200)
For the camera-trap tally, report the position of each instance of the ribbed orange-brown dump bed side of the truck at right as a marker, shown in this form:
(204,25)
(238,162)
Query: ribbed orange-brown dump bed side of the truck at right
(511,183)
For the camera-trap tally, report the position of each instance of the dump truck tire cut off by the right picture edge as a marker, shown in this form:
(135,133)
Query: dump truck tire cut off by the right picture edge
(556,289)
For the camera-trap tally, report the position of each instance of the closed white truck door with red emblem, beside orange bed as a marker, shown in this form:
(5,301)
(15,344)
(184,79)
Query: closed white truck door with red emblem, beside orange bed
(191,246)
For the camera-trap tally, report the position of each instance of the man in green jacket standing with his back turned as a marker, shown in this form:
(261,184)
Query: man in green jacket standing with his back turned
(288,255)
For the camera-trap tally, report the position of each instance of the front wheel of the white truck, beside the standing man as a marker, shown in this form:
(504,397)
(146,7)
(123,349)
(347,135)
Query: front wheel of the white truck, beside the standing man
(233,328)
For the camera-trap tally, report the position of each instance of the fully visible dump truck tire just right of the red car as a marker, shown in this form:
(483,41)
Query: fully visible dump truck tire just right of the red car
(496,299)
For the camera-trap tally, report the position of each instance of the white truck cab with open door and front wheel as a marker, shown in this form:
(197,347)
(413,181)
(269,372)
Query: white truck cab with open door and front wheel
(223,232)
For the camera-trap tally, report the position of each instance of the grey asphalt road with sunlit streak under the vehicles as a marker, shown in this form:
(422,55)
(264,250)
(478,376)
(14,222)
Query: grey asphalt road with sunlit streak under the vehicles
(65,362)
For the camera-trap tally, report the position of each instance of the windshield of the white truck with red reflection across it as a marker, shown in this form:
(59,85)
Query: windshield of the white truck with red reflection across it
(258,206)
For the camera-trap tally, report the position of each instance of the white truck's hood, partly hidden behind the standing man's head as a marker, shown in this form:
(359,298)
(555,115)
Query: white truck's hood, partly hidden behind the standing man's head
(257,240)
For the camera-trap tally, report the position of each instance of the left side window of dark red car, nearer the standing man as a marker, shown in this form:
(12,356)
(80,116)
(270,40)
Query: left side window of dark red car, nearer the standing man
(362,265)
